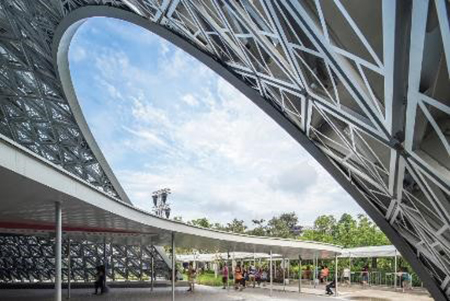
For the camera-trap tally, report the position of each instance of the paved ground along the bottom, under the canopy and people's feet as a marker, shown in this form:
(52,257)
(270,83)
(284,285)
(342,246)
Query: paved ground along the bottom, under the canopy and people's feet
(204,293)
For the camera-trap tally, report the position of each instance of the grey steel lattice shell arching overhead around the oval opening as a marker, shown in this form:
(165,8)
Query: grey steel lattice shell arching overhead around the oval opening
(367,82)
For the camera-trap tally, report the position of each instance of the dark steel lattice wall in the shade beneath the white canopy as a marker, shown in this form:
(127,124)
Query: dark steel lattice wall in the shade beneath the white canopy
(32,259)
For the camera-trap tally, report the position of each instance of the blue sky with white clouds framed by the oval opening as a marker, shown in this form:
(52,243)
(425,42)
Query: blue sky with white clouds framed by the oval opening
(163,119)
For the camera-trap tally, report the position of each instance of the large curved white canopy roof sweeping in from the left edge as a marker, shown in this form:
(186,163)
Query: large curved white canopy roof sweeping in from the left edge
(30,186)
